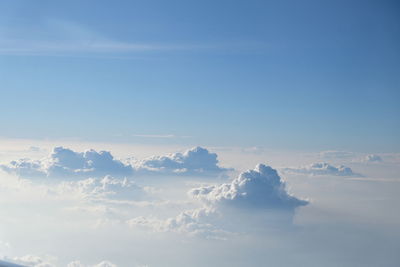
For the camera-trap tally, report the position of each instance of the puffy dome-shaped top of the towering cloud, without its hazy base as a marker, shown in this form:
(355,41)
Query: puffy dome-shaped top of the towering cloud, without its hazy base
(258,188)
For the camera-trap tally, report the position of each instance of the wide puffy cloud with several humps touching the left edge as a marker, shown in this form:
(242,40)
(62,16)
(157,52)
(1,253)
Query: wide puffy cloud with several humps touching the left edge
(64,162)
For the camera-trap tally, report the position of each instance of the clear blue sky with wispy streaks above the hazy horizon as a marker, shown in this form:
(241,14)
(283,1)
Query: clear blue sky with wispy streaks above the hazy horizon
(307,75)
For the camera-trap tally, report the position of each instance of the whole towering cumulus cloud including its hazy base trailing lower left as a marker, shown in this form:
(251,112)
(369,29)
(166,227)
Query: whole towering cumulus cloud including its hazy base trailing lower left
(232,207)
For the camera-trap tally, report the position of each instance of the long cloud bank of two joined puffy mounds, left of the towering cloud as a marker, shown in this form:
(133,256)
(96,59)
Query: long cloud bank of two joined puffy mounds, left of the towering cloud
(64,163)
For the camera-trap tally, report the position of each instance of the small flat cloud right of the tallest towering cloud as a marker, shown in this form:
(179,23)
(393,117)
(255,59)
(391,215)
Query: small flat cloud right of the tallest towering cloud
(323,168)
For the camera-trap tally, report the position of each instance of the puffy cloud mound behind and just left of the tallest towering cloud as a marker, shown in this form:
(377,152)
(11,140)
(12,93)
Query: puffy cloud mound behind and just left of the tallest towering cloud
(195,161)
